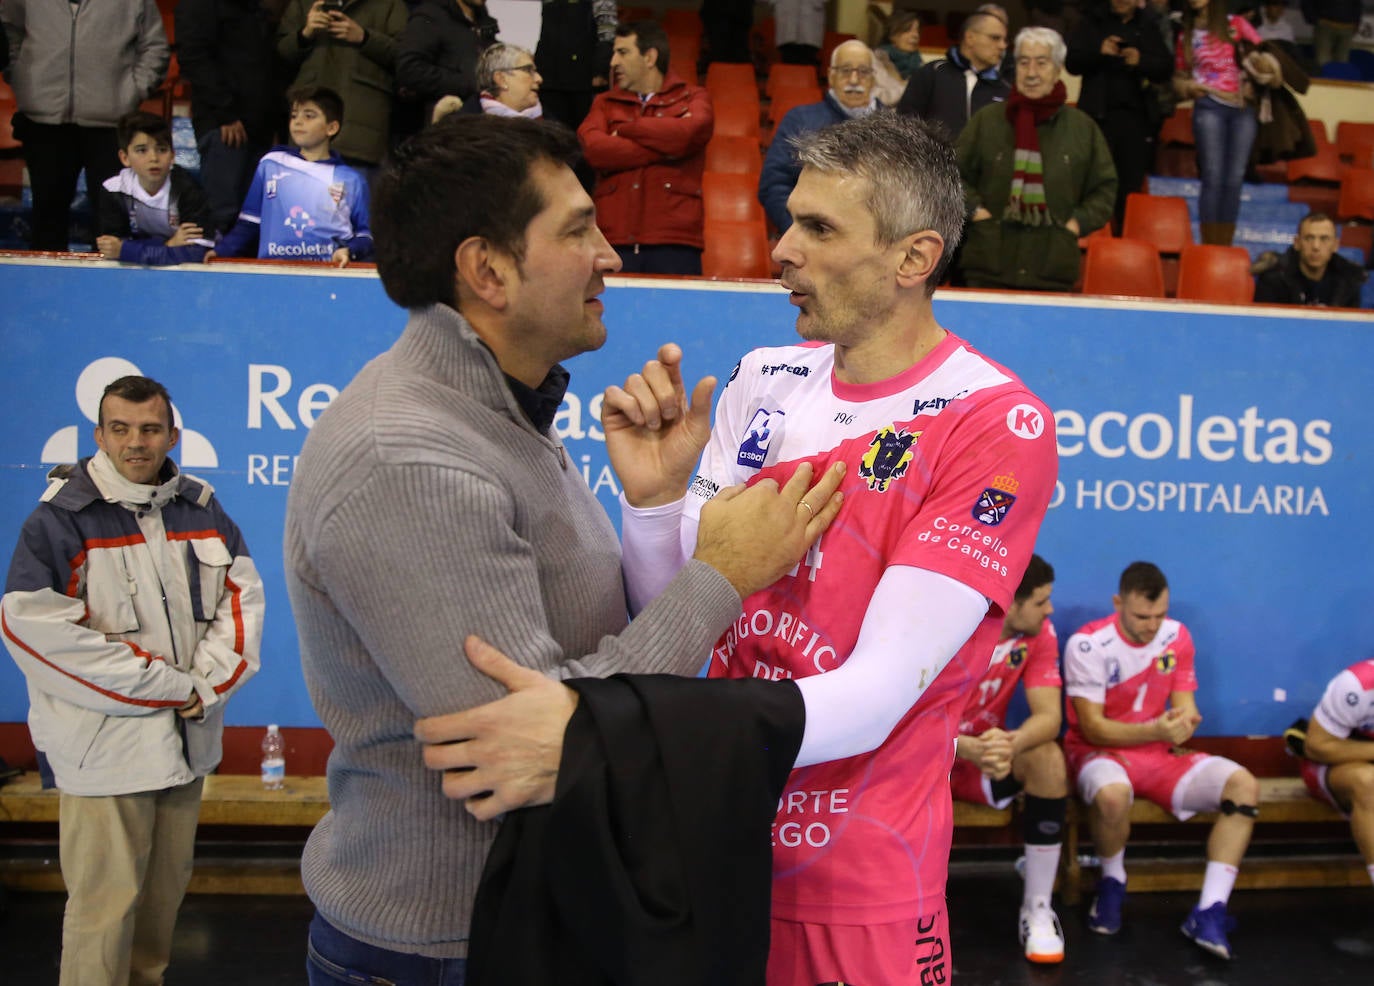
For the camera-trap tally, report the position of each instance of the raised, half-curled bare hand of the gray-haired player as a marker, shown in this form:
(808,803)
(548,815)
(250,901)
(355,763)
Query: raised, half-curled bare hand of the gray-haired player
(655,435)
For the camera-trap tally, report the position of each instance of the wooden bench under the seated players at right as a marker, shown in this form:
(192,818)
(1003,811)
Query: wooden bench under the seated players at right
(1283,801)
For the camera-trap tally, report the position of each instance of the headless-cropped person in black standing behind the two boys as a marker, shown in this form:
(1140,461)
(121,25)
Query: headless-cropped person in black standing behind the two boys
(227,54)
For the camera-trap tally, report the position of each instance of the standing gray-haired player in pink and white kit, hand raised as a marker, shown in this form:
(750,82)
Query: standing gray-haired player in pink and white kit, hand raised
(950,462)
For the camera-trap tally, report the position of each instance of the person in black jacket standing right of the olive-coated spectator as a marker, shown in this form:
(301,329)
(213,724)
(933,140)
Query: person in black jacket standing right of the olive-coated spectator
(439,50)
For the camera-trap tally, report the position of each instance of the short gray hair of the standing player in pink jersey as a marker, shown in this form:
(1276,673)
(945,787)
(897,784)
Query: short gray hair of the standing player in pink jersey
(912,174)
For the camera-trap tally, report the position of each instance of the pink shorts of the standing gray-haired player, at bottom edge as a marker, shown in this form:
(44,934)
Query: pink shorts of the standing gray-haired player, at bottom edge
(914,952)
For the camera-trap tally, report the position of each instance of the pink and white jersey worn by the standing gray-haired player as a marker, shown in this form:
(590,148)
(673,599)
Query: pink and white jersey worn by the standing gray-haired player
(950,469)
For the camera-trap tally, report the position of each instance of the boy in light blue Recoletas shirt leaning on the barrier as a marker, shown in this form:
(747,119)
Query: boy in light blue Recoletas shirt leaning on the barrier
(304,204)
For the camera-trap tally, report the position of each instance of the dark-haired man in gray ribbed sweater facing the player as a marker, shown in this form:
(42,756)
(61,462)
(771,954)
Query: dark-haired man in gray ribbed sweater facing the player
(433,502)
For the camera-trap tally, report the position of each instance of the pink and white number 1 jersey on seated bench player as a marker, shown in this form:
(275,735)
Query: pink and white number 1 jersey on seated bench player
(1131,683)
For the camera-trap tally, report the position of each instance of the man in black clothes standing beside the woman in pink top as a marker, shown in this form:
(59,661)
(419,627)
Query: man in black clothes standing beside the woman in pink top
(1119,51)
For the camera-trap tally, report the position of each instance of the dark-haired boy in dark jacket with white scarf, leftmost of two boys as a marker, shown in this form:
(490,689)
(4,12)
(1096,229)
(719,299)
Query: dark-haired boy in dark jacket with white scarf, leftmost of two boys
(153,212)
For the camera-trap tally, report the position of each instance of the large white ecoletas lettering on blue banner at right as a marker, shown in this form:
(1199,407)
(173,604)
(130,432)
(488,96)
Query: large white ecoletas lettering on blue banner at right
(1184,435)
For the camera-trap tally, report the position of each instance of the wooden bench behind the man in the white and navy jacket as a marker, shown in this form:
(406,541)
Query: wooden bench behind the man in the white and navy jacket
(230,800)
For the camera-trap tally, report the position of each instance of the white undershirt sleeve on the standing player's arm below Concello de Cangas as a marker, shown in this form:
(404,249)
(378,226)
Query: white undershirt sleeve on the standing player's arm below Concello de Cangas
(914,626)
